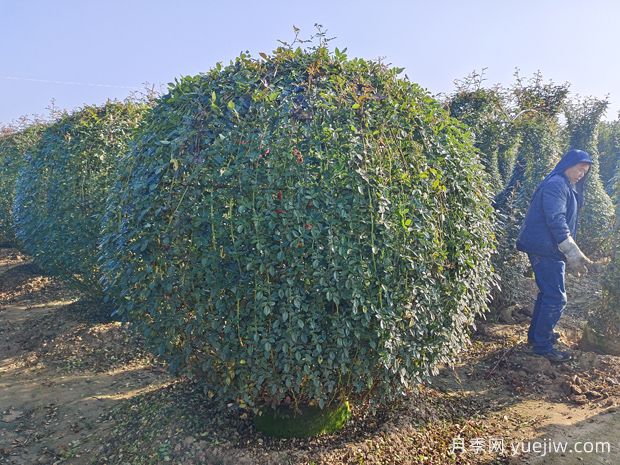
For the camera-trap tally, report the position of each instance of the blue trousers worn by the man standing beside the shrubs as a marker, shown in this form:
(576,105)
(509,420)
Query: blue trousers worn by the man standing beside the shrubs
(550,302)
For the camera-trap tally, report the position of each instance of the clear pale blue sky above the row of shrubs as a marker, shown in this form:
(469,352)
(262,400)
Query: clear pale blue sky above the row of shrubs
(83,52)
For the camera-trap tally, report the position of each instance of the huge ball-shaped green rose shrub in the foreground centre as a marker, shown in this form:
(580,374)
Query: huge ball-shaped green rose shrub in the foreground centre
(303,226)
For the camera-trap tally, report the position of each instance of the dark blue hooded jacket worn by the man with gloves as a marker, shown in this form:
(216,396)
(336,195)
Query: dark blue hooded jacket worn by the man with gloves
(554,209)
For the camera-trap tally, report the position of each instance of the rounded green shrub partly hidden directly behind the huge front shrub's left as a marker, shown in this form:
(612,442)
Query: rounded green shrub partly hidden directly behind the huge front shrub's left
(62,188)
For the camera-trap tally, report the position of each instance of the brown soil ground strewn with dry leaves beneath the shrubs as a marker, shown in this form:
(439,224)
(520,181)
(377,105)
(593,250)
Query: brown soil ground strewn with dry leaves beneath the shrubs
(77,388)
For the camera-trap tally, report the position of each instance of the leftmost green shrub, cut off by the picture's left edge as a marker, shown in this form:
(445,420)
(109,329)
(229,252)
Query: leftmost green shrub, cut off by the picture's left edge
(13,146)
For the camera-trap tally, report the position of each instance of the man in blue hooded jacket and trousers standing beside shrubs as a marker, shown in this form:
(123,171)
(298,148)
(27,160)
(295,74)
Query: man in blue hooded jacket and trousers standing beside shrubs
(547,236)
